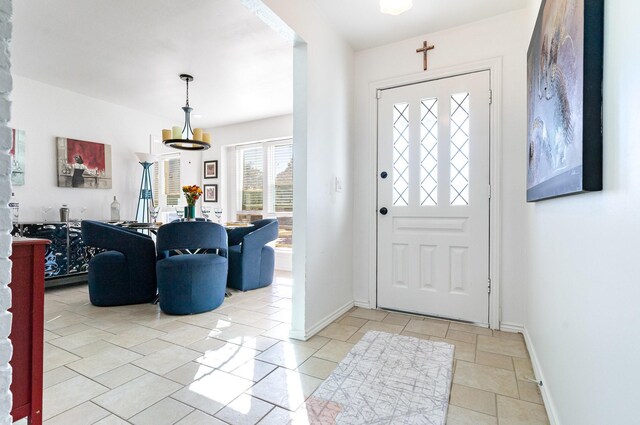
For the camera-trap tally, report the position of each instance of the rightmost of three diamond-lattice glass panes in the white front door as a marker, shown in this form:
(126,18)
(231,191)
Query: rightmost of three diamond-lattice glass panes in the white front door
(459,193)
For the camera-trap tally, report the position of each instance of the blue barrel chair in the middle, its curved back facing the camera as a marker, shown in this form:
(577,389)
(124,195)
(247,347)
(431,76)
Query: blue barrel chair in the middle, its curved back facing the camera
(192,266)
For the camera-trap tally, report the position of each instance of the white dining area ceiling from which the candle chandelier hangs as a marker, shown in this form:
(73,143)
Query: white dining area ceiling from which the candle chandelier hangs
(130,53)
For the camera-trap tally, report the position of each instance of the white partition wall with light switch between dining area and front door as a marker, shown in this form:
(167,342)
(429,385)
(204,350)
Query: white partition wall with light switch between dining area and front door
(323,79)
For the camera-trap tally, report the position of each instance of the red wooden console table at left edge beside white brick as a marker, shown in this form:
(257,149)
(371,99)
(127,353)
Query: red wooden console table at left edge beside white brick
(27,329)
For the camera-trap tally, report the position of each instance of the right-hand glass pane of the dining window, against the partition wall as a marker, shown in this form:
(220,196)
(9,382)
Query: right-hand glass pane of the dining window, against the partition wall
(281,178)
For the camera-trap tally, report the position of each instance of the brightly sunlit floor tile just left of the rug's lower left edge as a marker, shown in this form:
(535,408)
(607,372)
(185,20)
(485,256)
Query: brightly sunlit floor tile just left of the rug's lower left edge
(285,388)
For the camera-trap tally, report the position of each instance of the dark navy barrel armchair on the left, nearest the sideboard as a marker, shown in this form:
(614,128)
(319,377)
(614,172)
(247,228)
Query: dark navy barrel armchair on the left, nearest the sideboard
(126,272)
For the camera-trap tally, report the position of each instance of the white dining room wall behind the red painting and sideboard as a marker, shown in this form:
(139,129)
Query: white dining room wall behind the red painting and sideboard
(46,112)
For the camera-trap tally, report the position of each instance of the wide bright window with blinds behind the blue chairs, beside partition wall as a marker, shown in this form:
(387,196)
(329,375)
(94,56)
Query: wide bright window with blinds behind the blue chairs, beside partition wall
(265,186)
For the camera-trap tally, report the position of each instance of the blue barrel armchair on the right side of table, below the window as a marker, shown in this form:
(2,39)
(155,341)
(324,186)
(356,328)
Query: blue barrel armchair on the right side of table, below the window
(251,260)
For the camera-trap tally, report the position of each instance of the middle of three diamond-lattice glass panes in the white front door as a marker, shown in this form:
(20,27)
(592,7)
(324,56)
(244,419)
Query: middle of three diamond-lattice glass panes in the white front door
(429,152)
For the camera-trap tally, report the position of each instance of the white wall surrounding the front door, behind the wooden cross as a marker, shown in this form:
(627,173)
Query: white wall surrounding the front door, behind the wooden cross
(499,37)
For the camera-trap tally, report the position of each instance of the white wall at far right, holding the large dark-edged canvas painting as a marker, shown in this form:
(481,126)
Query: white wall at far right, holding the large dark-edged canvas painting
(583,292)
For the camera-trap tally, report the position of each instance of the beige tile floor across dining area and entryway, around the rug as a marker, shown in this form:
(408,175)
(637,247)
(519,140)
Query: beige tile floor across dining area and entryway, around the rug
(236,365)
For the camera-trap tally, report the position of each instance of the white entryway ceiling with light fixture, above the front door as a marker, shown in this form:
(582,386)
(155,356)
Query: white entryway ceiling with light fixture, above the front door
(363,26)
